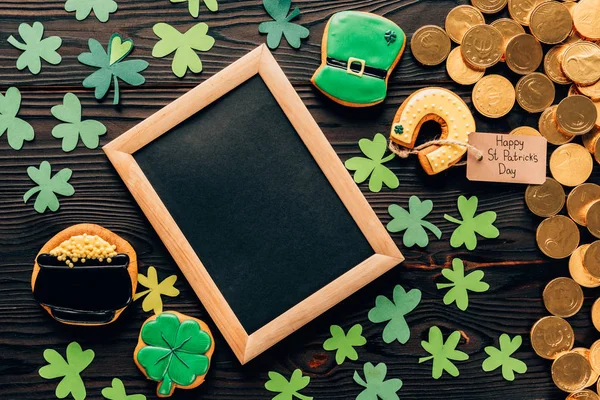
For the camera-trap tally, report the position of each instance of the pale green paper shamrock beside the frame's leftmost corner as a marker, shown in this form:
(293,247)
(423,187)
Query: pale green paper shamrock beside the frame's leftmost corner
(74,128)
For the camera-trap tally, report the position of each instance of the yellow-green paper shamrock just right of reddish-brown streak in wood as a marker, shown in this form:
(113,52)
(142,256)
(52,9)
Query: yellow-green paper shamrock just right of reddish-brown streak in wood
(461,284)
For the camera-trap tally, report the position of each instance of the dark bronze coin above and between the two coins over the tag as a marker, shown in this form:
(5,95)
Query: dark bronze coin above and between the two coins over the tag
(524,54)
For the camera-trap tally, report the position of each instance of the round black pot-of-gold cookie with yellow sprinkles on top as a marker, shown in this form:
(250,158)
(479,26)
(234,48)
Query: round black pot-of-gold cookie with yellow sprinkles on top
(85,275)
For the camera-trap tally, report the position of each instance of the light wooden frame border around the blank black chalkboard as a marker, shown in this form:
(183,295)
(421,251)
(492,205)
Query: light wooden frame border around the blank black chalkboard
(120,152)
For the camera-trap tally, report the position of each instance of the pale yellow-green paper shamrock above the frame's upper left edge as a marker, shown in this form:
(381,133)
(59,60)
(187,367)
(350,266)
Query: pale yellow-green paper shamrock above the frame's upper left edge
(183,44)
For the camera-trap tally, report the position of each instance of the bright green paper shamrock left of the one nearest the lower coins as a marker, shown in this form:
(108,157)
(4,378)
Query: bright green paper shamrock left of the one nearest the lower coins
(442,353)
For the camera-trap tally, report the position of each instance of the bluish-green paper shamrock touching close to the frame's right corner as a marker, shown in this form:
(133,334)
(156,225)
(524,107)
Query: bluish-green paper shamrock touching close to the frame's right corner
(412,221)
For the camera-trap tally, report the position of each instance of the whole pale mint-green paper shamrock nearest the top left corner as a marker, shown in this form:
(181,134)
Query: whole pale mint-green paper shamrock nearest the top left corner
(35,48)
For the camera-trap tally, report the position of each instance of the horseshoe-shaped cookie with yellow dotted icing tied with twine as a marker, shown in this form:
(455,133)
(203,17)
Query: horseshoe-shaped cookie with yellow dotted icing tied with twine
(447,109)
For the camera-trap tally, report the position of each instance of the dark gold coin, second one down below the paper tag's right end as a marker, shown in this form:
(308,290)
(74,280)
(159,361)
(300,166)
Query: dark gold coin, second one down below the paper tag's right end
(557,236)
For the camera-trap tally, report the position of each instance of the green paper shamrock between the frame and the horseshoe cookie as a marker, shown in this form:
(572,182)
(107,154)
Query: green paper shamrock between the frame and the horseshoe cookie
(373,165)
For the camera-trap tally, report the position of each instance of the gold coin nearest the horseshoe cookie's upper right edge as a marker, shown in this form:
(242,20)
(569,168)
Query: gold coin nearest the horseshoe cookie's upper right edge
(494,96)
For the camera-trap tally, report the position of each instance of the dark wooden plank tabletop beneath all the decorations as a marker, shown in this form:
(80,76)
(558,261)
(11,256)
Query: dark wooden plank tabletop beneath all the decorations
(514,267)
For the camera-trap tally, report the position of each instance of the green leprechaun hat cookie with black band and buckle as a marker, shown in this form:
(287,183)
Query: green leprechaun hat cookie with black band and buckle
(358,54)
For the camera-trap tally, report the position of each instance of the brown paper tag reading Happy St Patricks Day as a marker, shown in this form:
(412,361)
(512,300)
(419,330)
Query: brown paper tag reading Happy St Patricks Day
(507,158)
